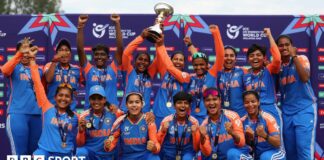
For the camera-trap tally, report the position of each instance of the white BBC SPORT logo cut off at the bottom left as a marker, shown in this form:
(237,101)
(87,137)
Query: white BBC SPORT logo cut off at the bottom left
(41,157)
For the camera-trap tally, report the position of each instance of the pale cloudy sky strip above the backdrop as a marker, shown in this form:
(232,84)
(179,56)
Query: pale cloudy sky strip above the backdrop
(210,7)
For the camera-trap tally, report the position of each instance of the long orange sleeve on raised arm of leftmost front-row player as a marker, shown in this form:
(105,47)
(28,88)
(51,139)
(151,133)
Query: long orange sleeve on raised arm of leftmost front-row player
(39,89)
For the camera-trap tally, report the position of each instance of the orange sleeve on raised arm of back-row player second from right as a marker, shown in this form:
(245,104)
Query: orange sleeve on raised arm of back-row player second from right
(274,66)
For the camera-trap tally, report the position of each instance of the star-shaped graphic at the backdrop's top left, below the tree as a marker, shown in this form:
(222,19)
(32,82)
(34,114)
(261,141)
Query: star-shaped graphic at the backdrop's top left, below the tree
(50,24)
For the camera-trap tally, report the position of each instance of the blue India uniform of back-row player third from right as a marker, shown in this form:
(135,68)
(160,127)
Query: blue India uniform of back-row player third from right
(231,87)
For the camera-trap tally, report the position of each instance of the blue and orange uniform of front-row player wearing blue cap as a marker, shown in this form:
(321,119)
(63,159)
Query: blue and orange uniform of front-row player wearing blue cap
(91,141)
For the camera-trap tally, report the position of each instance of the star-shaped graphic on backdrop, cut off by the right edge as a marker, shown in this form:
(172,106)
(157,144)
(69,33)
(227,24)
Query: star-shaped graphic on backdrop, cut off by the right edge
(306,24)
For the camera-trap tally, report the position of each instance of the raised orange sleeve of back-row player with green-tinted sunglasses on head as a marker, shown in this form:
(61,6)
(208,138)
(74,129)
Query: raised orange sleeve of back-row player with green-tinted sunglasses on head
(219,48)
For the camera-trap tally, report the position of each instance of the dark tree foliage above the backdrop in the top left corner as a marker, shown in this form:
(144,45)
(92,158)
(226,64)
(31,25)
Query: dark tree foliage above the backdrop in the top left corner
(29,6)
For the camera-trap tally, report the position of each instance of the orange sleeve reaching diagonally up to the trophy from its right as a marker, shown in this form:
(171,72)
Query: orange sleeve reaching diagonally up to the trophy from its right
(182,77)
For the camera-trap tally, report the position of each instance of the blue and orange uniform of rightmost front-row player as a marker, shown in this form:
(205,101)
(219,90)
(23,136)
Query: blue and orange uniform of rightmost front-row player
(263,150)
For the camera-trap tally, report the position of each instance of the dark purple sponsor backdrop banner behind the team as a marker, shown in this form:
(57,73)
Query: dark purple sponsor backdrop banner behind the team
(238,31)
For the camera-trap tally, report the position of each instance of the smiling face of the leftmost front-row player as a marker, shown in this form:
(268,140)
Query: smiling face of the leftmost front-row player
(63,98)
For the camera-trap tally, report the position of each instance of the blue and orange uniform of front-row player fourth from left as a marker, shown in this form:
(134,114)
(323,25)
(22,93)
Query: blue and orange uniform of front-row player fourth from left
(179,140)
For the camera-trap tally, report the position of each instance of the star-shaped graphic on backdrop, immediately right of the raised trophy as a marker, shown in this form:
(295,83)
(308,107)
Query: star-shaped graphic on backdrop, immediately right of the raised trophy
(189,23)
